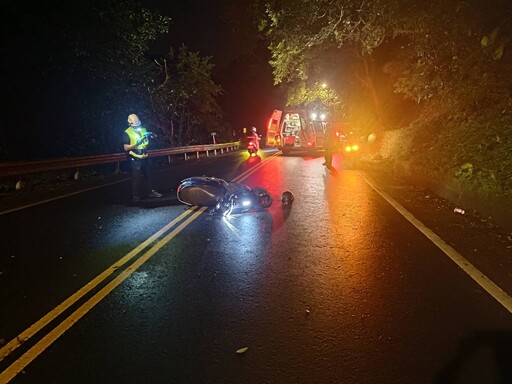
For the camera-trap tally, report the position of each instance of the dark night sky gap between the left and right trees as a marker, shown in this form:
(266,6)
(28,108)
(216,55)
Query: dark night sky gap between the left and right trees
(249,96)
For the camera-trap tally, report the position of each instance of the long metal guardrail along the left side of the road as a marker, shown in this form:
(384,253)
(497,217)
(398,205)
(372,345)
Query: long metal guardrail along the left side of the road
(28,167)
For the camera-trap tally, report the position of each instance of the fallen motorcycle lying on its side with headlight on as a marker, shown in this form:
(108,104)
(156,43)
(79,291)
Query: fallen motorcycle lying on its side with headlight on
(222,197)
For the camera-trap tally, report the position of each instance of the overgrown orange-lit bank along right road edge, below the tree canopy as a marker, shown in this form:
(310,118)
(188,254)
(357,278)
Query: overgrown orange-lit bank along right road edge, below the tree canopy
(465,160)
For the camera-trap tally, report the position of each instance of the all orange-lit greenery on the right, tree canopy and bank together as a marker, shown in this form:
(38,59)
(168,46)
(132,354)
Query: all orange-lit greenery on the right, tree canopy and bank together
(431,81)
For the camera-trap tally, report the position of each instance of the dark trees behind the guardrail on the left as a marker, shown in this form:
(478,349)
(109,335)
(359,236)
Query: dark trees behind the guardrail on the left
(74,71)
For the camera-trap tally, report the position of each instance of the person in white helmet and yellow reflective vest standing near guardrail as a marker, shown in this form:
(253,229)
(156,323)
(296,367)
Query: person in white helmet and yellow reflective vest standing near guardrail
(135,142)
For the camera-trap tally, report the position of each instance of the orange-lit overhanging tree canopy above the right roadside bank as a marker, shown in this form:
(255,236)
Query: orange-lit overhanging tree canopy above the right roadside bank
(447,55)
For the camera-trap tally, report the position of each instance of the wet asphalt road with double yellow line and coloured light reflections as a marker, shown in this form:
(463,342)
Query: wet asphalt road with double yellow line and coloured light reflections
(340,288)
